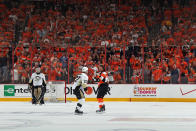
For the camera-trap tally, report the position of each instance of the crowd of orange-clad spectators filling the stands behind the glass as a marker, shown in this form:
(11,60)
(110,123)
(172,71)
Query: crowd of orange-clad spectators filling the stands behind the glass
(135,41)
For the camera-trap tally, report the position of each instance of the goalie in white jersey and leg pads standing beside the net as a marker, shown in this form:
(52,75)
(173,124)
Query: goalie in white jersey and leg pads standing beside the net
(37,86)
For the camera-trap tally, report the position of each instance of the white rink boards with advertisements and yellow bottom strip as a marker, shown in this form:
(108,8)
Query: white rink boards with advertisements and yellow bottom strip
(117,92)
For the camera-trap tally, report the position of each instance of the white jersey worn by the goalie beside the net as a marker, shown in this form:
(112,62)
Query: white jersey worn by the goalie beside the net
(38,79)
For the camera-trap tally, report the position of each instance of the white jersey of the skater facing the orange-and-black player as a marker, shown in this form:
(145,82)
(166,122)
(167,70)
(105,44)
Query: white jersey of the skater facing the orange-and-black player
(81,80)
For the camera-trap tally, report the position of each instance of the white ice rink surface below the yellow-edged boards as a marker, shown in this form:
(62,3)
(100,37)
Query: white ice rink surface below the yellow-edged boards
(119,116)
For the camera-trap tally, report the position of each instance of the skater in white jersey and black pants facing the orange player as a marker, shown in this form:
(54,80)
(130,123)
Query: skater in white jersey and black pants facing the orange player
(79,86)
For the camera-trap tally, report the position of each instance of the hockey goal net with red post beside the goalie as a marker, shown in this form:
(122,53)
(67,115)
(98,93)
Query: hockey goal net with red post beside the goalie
(55,92)
